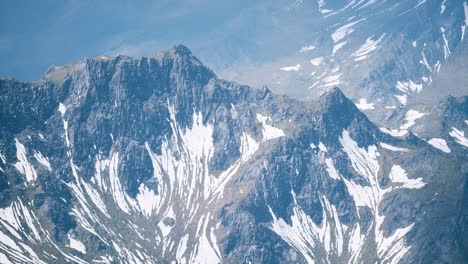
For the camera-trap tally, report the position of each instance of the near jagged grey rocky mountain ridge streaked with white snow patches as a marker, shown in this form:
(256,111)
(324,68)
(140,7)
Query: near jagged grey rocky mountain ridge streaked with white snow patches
(156,160)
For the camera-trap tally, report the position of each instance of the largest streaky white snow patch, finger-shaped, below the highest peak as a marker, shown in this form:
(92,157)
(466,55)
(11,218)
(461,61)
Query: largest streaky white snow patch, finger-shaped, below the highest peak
(184,180)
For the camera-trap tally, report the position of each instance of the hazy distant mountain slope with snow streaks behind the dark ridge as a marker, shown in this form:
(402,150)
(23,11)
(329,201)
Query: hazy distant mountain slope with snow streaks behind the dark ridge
(384,55)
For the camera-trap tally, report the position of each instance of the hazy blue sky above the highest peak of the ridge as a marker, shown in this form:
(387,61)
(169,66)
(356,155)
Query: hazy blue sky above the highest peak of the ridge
(36,34)
